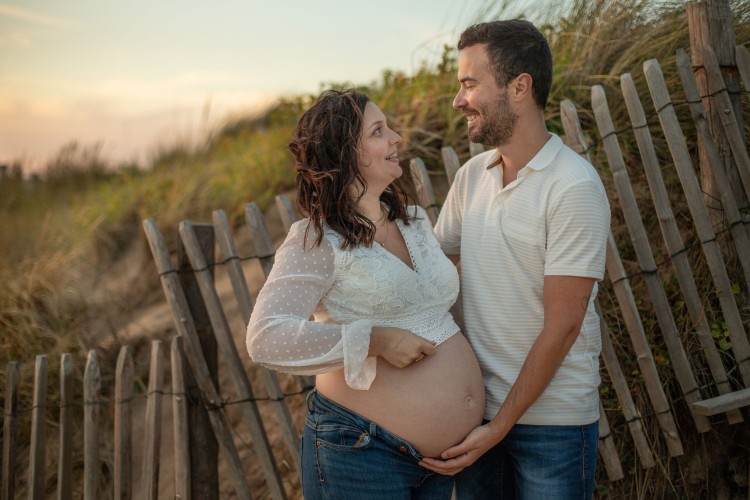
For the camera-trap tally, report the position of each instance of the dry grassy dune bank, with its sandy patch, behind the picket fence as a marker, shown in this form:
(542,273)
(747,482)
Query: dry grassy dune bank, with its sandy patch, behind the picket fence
(74,266)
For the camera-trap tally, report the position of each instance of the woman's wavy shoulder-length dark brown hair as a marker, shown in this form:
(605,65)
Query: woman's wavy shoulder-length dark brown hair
(325,146)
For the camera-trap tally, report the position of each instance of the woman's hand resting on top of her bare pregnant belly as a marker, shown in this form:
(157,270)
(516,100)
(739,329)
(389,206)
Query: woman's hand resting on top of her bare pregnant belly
(399,347)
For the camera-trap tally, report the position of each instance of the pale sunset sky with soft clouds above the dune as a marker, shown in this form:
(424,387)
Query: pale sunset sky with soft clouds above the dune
(138,75)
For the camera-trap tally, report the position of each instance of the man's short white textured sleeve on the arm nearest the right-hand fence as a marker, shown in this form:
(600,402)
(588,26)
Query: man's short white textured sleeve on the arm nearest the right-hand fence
(578,227)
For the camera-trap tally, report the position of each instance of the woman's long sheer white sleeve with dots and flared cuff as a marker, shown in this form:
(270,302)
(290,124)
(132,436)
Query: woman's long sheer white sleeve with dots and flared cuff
(280,334)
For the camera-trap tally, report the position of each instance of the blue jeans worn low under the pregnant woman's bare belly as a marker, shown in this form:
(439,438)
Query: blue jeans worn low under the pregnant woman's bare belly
(346,456)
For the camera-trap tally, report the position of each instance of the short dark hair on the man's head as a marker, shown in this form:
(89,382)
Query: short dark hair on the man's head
(513,47)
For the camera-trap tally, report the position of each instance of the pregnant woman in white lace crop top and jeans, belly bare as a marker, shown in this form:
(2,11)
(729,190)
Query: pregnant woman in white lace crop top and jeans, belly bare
(396,380)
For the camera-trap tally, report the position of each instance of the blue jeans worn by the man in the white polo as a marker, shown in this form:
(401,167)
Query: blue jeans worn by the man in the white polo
(535,462)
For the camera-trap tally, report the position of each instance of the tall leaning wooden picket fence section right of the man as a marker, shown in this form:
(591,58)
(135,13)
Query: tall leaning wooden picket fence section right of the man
(729,400)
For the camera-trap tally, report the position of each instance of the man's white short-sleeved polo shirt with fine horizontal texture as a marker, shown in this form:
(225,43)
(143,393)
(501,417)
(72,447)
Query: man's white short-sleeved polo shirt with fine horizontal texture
(552,220)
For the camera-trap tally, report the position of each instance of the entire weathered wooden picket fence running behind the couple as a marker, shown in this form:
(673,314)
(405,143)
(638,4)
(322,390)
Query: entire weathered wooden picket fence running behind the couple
(721,400)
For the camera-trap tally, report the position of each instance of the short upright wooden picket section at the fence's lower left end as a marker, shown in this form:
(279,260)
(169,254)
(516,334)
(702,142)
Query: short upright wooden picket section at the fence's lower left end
(92,405)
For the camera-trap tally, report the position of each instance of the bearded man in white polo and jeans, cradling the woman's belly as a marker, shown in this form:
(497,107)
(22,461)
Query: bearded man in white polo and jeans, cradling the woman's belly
(528,222)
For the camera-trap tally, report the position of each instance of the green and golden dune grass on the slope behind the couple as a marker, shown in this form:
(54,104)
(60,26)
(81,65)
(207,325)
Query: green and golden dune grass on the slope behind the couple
(62,233)
